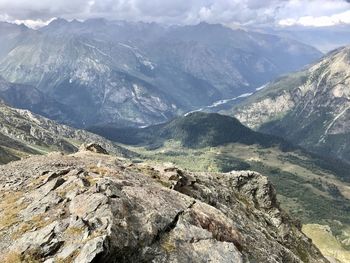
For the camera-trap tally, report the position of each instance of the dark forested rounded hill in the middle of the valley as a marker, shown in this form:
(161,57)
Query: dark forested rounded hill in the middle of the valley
(195,130)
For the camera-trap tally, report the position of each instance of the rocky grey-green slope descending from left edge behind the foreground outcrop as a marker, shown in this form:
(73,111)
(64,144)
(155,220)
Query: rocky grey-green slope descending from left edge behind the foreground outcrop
(23,133)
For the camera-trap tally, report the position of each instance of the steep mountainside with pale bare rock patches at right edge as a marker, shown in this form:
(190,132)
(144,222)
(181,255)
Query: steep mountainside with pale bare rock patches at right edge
(310,108)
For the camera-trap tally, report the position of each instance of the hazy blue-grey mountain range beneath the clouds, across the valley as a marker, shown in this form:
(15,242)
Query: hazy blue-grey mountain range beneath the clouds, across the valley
(101,71)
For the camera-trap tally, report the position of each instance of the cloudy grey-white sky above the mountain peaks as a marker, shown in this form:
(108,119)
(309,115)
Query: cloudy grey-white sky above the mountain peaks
(231,12)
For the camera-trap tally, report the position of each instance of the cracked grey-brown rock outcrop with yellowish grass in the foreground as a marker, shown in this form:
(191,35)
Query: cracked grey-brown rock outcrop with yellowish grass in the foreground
(91,207)
